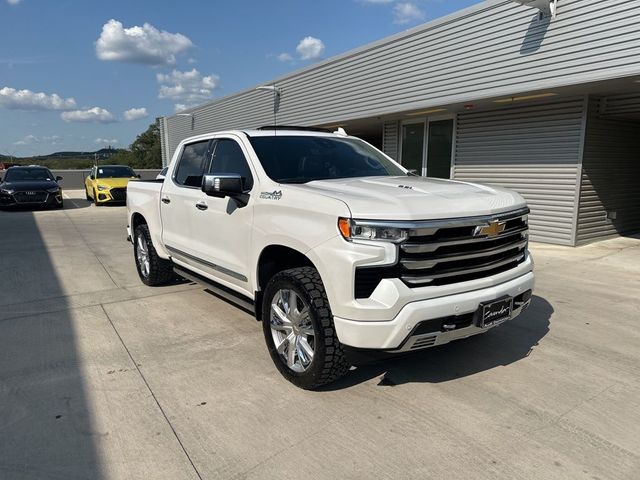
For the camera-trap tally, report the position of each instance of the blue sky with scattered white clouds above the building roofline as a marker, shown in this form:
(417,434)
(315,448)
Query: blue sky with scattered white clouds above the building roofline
(80,74)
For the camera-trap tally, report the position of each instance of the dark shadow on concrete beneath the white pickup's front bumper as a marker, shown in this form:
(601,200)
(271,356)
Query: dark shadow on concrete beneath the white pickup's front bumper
(503,345)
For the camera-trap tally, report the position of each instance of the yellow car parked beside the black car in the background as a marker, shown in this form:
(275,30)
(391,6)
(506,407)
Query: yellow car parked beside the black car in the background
(108,183)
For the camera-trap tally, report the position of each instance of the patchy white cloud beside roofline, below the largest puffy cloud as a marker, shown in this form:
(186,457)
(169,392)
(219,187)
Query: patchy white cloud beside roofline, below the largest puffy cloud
(186,88)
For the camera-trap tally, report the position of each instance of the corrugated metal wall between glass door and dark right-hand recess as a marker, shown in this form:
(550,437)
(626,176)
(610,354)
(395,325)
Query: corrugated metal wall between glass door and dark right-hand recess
(534,150)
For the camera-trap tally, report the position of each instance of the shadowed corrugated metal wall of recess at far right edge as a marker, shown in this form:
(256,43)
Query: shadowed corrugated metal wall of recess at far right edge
(610,176)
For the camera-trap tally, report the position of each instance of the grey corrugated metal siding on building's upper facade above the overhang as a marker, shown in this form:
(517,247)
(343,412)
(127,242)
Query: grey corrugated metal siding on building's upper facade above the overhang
(492,49)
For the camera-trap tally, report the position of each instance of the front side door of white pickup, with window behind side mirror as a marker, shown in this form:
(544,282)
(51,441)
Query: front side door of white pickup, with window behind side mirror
(222,227)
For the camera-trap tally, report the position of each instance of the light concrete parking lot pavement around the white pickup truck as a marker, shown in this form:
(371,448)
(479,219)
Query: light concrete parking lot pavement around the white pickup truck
(104,378)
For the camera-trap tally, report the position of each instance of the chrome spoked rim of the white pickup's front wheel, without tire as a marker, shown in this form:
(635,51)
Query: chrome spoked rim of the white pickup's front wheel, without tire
(292,329)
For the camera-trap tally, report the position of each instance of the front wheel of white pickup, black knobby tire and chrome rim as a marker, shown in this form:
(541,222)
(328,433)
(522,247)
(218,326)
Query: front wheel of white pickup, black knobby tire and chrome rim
(299,331)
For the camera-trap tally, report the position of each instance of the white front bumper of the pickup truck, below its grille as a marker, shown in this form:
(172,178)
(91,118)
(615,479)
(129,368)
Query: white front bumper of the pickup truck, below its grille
(403,333)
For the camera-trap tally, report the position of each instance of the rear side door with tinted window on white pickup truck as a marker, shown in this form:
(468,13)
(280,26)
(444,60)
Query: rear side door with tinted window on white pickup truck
(178,198)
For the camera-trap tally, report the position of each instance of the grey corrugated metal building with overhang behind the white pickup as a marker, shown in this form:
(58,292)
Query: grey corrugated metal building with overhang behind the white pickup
(541,96)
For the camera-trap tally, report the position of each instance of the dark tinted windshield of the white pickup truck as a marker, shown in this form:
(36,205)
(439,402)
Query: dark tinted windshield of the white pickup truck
(302,159)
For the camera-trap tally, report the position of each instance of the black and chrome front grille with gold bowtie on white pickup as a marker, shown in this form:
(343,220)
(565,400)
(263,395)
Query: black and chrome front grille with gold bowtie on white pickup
(452,251)
